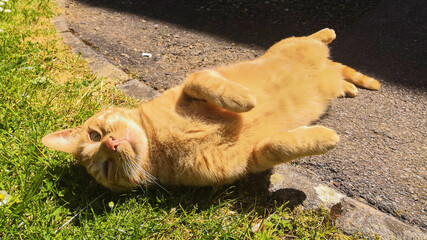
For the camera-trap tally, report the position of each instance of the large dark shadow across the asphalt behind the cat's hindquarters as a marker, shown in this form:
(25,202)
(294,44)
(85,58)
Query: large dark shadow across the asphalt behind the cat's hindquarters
(386,38)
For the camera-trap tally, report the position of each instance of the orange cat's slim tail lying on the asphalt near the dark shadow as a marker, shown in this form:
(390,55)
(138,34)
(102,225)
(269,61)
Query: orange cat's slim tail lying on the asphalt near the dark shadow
(358,78)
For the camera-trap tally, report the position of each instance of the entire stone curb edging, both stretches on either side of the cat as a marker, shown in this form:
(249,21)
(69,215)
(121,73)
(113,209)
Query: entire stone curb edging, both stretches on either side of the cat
(287,182)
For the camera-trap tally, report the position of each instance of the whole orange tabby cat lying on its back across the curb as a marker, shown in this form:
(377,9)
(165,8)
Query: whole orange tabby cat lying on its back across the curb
(221,123)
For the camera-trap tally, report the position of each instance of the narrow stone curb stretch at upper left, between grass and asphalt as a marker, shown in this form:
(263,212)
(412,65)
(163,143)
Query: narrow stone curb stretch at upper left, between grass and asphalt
(98,64)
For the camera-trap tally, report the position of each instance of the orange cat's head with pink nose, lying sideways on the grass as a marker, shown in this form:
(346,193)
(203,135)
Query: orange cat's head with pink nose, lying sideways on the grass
(111,145)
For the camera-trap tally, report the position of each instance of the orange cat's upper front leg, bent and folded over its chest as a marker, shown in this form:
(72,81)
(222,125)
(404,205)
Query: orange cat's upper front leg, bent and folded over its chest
(211,86)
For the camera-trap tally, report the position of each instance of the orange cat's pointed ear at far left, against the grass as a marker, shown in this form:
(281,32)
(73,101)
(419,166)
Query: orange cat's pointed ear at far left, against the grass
(64,140)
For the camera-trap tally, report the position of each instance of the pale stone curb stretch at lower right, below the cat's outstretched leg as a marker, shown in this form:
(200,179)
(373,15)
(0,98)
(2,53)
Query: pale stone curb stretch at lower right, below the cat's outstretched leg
(301,188)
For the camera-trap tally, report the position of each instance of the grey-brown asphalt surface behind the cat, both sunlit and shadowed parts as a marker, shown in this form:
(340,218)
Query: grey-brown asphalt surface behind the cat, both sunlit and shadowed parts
(381,159)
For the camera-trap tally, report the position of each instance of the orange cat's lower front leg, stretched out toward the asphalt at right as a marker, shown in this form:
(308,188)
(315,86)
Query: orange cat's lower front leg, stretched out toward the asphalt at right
(287,146)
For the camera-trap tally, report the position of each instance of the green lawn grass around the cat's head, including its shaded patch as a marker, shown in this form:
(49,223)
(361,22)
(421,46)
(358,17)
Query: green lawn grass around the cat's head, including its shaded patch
(43,88)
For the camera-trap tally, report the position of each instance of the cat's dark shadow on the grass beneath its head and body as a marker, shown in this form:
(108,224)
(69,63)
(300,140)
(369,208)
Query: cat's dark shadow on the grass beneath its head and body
(82,195)
